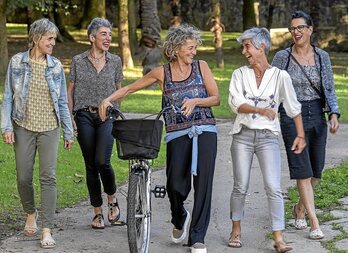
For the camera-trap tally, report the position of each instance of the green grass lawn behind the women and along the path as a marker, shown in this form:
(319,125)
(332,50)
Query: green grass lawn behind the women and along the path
(71,179)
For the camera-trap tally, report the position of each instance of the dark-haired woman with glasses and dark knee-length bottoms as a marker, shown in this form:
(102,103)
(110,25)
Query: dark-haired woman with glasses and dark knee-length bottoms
(312,78)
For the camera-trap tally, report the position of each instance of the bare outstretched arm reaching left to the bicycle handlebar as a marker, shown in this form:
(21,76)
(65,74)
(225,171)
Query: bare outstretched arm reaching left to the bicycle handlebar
(156,75)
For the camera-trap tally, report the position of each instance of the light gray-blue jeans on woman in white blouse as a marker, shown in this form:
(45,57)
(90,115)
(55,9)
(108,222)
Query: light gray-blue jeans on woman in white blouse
(265,145)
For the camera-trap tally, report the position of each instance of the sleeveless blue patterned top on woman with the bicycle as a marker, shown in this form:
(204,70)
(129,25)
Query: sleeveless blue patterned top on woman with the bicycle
(176,91)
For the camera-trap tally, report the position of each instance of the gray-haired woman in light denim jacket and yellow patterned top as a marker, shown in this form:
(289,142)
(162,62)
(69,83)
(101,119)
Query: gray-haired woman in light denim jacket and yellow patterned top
(35,105)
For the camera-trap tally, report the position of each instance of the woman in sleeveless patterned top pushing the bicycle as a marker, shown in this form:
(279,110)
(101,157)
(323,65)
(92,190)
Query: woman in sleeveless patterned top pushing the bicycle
(189,86)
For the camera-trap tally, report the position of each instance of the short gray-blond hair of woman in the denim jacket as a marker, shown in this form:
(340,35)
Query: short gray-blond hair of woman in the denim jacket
(39,28)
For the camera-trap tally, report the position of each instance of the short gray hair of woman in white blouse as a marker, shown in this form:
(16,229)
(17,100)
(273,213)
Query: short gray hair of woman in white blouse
(258,36)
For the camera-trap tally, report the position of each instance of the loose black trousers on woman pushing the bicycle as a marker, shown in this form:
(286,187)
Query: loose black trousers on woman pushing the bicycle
(179,155)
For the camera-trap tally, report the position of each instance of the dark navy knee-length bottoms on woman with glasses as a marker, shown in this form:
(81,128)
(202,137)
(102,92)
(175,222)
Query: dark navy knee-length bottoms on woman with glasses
(310,163)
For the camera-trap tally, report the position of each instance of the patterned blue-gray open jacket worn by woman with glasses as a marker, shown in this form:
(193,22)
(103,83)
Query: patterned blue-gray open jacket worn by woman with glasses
(322,60)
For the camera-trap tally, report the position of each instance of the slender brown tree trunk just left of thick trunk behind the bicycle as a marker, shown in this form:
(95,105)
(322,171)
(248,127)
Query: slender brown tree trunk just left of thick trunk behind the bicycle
(132,21)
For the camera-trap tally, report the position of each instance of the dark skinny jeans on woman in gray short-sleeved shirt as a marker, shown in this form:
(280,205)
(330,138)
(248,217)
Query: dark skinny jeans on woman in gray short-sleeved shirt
(96,142)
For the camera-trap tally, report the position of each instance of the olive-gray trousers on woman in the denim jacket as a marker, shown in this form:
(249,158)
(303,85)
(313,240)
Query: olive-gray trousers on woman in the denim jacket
(25,146)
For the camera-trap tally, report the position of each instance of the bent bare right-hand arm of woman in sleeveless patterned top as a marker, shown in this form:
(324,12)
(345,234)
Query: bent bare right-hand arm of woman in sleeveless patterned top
(213,98)
